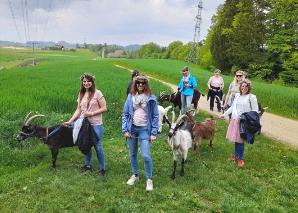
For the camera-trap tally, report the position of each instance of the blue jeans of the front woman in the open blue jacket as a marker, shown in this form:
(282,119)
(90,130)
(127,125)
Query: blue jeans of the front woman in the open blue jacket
(140,134)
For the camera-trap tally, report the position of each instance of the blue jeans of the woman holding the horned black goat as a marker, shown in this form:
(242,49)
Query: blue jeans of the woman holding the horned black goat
(98,148)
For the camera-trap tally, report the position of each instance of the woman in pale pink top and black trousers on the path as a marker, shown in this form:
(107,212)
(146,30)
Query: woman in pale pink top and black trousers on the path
(215,85)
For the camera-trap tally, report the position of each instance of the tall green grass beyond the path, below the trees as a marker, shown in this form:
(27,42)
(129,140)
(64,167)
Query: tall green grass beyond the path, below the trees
(281,100)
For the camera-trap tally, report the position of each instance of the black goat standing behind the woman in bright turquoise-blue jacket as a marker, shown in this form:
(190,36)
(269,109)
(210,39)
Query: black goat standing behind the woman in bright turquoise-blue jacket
(175,98)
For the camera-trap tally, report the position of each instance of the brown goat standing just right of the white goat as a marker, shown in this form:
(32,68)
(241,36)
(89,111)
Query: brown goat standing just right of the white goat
(201,130)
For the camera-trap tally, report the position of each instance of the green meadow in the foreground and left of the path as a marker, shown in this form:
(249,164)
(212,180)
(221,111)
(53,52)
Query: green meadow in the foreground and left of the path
(267,183)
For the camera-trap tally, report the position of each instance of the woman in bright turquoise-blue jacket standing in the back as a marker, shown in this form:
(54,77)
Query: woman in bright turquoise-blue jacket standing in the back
(186,86)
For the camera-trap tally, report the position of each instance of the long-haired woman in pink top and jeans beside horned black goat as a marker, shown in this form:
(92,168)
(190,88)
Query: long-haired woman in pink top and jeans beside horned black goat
(91,104)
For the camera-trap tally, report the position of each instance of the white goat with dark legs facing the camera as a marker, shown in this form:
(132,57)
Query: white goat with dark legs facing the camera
(180,141)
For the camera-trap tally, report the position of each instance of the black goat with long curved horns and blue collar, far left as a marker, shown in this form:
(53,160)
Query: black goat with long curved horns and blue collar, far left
(55,137)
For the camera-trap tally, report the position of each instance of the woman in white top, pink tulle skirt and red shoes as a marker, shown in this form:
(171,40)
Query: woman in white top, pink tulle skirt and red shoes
(243,102)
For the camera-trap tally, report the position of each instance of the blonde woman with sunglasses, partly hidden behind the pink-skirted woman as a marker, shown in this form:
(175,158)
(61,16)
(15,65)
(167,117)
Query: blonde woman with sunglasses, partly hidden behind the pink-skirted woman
(234,88)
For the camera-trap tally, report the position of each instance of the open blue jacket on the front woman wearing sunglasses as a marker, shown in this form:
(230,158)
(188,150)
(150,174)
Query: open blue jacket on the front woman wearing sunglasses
(152,115)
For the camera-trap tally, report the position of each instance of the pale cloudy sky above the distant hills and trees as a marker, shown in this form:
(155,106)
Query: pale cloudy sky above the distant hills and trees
(121,22)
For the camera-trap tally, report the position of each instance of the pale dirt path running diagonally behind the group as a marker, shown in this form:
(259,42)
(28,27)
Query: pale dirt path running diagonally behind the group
(283,129)
